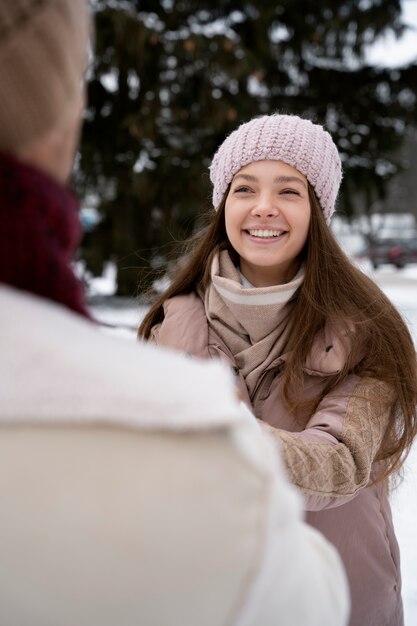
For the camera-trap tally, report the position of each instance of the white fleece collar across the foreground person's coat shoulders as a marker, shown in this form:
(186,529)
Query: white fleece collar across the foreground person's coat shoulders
(58,367)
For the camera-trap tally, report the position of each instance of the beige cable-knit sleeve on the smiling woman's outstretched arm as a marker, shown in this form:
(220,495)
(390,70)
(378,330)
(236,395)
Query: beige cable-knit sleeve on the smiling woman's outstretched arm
(331,460)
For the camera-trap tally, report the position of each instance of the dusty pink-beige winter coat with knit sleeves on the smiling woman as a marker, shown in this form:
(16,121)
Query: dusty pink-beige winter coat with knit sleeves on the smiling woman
(329,456)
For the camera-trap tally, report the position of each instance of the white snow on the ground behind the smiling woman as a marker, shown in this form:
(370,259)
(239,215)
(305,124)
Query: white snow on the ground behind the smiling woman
(123,317)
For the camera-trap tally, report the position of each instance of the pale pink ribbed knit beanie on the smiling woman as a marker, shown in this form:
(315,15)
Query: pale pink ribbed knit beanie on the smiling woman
(288,138)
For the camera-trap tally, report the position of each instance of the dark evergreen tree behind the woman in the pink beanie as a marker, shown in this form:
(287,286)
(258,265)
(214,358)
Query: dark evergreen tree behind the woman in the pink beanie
(170,79)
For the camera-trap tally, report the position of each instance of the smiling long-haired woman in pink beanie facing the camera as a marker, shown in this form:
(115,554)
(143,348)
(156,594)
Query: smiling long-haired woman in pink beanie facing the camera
(321,356)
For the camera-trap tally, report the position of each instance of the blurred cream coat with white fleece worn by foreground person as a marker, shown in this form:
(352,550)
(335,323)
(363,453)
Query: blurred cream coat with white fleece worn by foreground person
(131,495)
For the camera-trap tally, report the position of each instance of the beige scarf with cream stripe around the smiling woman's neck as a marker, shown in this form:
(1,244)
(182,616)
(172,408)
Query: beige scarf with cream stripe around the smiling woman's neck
(253,322)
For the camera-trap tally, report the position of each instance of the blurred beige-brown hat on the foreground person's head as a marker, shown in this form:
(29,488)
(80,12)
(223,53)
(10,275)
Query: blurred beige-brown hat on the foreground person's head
(43,56)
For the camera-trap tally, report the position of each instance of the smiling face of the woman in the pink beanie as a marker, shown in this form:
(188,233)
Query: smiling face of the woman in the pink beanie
(267,214)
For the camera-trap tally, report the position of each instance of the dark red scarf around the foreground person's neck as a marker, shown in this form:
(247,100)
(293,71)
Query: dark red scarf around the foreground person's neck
(39,233)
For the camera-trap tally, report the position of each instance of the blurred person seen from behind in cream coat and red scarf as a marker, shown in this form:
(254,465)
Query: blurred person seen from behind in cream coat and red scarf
(131,494)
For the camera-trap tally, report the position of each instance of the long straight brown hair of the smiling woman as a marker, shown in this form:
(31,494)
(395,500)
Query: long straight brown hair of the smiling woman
(333,291)
